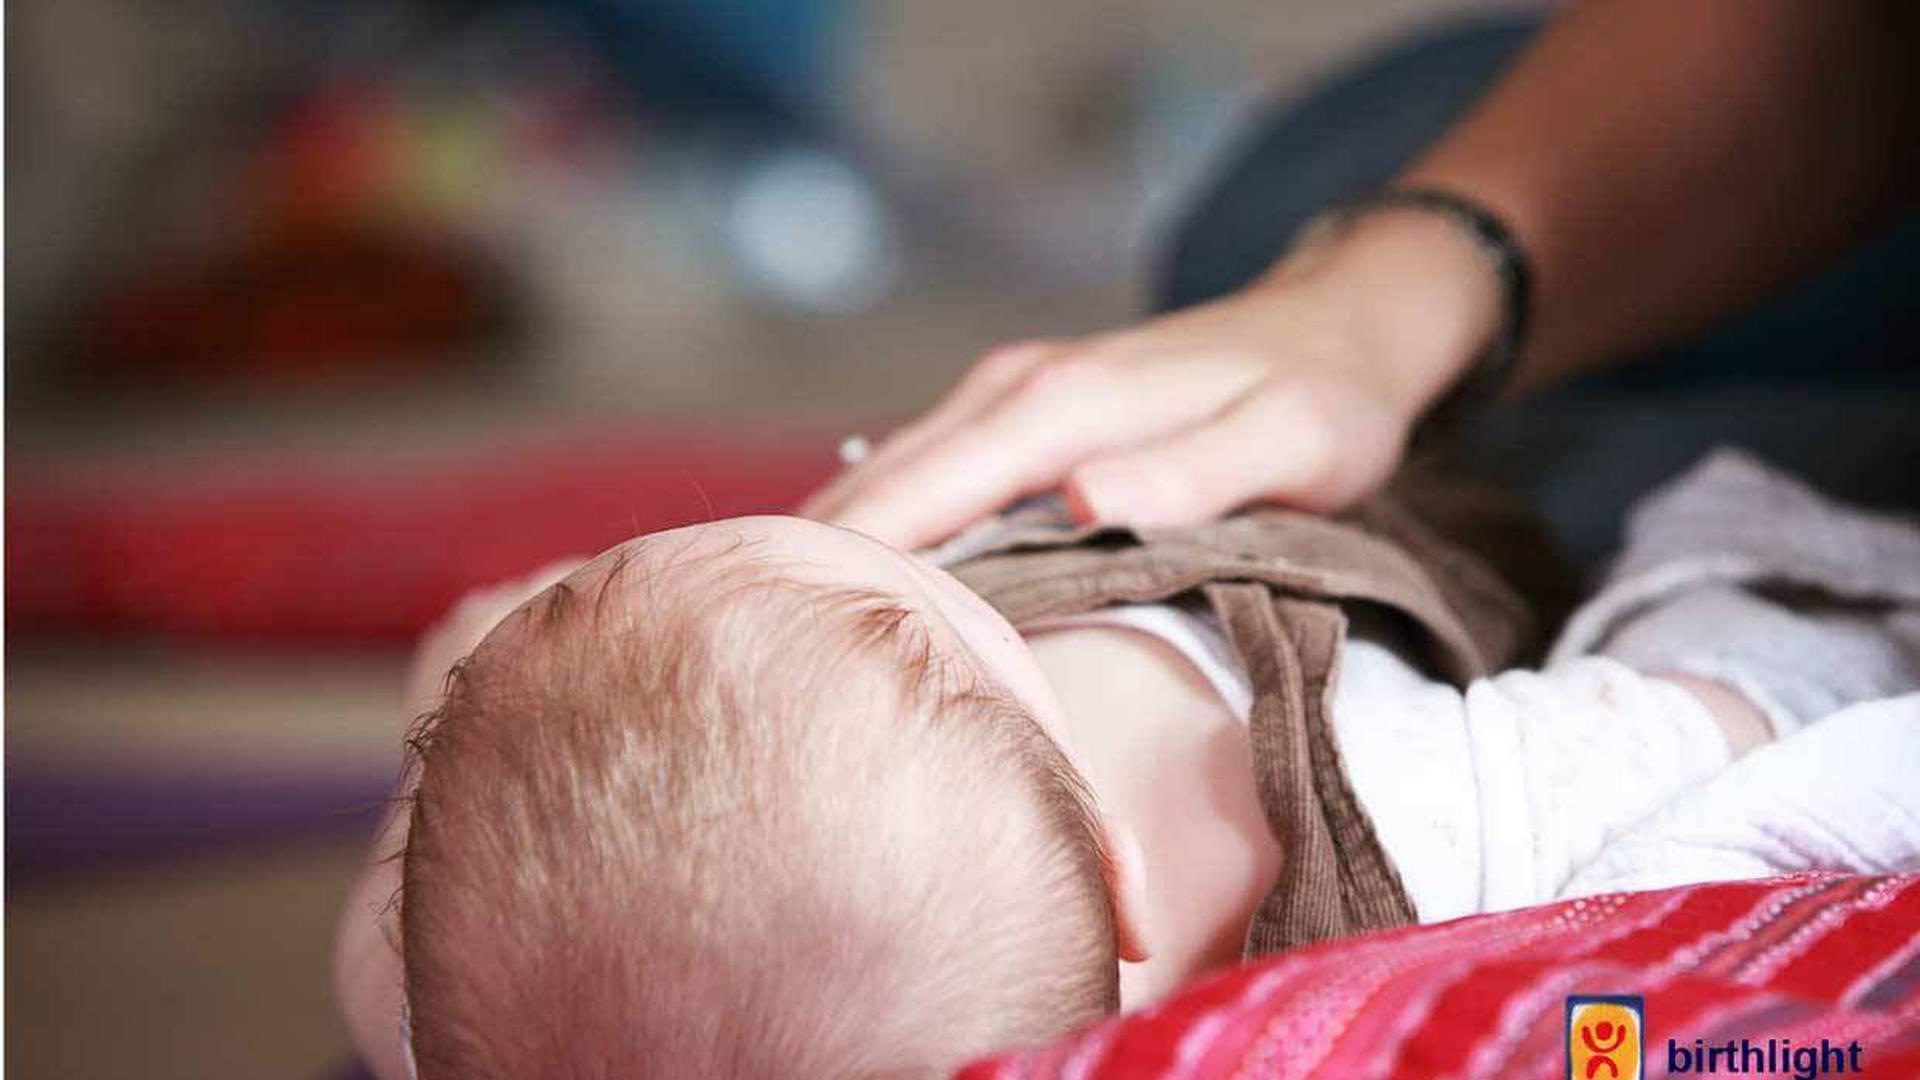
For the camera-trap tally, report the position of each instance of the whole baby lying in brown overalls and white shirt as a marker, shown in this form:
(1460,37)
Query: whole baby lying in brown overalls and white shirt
(769,798)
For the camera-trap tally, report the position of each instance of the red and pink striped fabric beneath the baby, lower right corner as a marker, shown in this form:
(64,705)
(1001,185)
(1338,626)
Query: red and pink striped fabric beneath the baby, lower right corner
(1802,958)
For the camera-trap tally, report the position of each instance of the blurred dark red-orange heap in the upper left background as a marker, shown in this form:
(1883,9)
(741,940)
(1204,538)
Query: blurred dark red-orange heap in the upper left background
(347,253)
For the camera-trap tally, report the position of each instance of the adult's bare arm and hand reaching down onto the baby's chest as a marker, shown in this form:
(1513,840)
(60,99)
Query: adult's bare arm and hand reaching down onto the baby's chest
(1660,160)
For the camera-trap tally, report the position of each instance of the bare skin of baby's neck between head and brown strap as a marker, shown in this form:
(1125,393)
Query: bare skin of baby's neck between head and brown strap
(1170,760)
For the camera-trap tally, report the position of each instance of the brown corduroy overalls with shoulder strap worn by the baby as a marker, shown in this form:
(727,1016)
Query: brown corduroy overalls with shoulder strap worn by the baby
(1282,585)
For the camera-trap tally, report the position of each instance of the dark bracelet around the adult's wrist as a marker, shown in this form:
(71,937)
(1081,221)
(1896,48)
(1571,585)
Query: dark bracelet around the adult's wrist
(1495,366)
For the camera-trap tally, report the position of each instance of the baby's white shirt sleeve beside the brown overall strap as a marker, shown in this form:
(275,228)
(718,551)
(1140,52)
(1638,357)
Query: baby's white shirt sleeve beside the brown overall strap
(1495,798)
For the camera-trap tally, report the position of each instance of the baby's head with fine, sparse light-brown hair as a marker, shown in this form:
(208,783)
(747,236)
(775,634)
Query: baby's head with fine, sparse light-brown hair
(757,798)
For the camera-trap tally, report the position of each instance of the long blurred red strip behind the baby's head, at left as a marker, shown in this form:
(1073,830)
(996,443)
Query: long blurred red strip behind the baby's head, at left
(329,552)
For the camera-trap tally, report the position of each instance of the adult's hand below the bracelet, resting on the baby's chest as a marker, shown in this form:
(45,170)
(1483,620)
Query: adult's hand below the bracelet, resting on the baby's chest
(1301,389)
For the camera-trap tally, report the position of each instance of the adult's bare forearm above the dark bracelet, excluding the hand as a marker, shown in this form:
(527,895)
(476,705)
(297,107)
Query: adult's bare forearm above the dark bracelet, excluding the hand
(1666,164)
